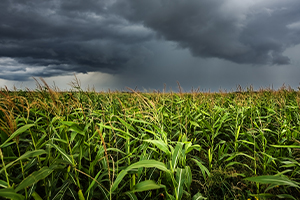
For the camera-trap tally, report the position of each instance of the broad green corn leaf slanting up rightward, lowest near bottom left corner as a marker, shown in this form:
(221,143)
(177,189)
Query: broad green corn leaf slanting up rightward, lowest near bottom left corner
(34,178)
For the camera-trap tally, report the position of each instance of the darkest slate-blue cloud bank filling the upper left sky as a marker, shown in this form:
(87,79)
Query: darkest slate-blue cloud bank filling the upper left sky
(68,36)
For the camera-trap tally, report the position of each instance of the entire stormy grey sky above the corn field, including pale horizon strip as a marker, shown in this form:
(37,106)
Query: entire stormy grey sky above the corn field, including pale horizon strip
(211,45)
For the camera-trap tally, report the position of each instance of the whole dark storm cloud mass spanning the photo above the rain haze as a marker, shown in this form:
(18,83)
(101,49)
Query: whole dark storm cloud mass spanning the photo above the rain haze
(58,37)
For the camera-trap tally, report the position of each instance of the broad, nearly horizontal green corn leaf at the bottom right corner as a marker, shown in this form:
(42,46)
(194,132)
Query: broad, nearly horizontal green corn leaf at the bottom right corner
(276,180)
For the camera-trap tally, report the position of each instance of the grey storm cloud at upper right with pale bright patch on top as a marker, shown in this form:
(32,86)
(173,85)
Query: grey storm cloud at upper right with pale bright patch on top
(253,32)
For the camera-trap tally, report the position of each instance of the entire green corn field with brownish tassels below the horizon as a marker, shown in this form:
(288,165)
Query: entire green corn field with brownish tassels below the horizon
(88,145)
